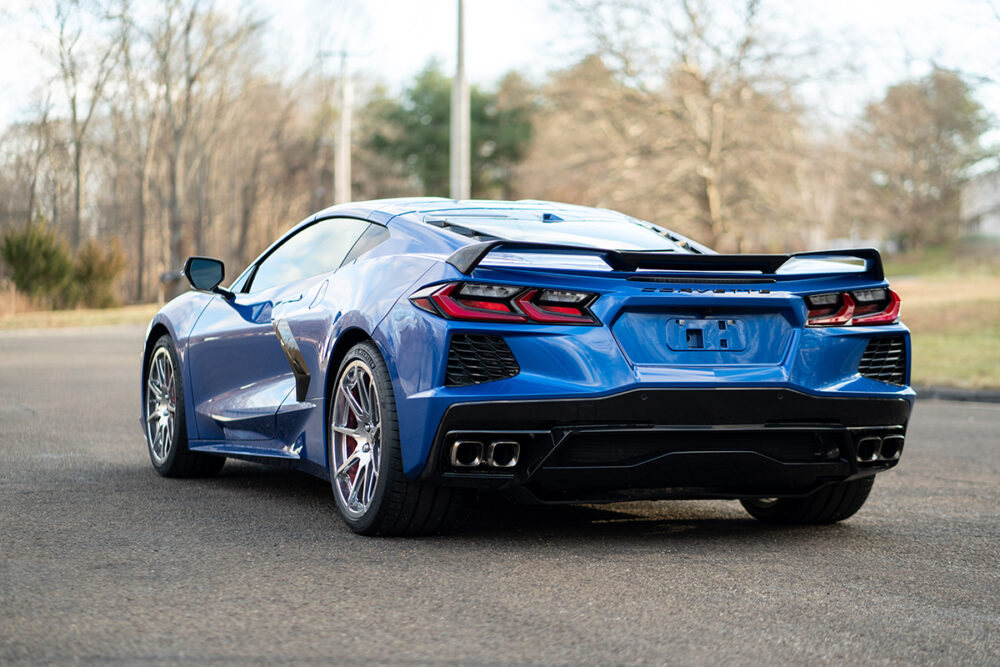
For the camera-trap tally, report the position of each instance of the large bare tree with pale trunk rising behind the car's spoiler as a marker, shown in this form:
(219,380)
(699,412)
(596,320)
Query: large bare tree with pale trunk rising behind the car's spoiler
(698,119)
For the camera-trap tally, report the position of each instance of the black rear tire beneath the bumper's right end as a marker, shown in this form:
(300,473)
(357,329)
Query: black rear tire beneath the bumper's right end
(835,502)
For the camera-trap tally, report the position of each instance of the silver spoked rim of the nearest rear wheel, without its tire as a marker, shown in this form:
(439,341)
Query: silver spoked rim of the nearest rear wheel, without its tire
(356,434)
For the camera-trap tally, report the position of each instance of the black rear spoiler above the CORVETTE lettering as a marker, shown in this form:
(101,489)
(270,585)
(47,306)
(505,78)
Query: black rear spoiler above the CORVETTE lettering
(467,258)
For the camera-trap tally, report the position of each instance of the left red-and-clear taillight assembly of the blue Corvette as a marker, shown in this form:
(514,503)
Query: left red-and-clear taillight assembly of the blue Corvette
(479,302)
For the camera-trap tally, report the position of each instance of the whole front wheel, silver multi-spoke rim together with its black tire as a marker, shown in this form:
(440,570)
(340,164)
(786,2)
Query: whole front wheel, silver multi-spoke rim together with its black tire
(166,434)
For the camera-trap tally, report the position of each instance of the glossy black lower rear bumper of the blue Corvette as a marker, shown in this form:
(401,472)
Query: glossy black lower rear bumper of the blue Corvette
(680,443)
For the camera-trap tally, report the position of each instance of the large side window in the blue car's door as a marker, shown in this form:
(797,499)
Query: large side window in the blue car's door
(315,249)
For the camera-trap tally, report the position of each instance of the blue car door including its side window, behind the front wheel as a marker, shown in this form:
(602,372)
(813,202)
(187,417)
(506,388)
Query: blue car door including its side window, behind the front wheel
(239,372)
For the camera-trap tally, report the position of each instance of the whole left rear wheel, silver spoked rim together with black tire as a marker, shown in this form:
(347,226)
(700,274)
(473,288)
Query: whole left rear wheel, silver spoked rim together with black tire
(373,494)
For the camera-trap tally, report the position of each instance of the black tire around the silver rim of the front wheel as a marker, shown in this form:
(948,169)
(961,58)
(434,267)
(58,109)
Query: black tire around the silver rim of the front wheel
(177,460)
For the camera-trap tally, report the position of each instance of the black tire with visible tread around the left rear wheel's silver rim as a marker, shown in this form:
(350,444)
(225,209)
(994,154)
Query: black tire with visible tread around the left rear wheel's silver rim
(398,504)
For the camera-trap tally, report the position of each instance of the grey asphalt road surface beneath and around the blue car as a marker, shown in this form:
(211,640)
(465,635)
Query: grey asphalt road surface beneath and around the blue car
(102,560)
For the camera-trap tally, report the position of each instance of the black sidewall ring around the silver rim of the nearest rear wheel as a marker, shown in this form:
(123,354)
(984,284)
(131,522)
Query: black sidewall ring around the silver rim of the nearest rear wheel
(370,355)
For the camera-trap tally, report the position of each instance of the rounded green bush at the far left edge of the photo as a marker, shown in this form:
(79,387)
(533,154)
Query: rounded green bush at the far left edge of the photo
(40,264)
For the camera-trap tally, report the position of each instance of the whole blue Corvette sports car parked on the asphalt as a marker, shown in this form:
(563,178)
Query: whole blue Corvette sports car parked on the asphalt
(413,351)
